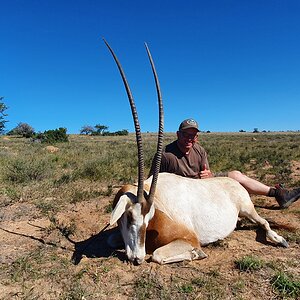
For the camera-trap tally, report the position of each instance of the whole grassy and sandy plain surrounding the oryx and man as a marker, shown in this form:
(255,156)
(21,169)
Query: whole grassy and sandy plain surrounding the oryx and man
(54,204)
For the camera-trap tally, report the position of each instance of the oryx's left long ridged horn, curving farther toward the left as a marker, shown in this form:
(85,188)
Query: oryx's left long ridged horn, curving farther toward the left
(138,134)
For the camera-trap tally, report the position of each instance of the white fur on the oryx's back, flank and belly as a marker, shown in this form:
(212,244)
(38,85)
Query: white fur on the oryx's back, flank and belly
(210,207)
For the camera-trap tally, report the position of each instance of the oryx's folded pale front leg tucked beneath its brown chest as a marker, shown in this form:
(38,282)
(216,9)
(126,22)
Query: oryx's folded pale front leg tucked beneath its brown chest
(178,250)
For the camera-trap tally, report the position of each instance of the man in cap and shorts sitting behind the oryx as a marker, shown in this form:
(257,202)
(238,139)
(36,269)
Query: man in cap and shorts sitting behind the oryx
(186,157)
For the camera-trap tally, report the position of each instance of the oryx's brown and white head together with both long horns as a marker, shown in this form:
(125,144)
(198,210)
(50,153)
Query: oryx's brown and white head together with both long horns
(133,206)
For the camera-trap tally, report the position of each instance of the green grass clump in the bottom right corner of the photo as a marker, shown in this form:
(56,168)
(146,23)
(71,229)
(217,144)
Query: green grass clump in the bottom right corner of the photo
(286,285)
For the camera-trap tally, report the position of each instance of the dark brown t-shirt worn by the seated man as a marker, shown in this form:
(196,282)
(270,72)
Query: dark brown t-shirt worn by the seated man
(187,165)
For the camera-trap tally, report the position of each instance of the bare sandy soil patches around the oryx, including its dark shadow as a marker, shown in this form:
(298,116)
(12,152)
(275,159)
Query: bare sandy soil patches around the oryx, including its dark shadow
(22,230)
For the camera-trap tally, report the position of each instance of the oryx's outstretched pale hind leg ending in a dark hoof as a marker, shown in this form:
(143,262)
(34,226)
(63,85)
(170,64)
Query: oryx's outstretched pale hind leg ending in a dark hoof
(253,216)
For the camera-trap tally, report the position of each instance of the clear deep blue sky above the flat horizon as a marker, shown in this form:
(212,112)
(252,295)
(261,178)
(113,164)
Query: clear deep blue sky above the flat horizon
(230,64)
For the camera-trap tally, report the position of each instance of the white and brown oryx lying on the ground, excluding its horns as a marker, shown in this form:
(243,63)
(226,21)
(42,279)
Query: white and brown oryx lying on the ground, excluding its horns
(185,214)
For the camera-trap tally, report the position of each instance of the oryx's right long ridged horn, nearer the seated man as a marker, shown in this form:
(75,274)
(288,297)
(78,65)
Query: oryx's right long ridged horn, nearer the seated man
(160,131)
